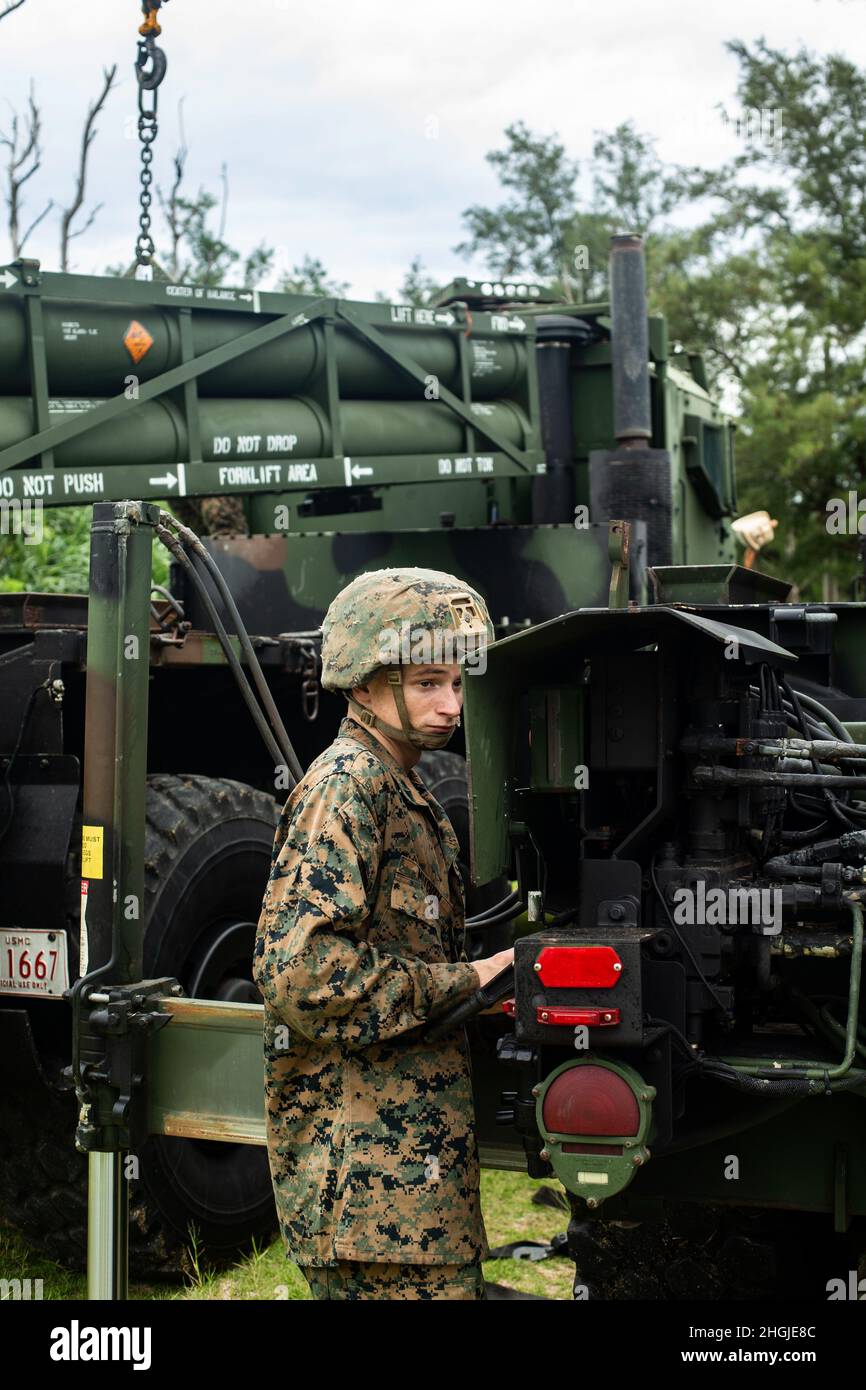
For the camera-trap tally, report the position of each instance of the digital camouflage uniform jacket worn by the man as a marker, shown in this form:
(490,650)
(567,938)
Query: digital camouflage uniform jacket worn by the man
(372,1138)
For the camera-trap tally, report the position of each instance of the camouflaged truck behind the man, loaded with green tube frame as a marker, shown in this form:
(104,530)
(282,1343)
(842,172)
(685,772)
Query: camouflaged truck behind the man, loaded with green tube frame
(496,434)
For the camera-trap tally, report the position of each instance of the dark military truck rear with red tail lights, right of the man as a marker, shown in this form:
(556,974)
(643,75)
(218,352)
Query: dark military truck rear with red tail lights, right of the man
(685,1039)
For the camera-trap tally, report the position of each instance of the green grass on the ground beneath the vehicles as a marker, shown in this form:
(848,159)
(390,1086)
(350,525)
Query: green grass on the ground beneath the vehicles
(509,1214)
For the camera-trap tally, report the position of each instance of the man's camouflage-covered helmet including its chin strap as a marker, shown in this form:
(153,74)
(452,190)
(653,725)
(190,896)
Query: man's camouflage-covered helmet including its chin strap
(386,619)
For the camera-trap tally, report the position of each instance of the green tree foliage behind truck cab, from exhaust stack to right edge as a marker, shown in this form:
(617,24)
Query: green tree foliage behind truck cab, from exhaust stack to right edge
(771,284)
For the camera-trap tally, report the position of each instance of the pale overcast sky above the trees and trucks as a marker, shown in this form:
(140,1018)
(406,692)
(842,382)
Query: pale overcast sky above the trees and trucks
(357,131)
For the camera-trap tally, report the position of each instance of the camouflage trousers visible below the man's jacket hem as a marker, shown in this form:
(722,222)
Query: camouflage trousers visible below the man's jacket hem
(365,1279)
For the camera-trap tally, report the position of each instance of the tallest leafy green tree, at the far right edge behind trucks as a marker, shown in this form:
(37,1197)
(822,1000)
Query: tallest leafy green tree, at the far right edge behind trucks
(804,372)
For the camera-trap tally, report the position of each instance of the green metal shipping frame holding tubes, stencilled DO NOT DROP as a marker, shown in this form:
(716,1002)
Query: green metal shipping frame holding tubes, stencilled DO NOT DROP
(83,325)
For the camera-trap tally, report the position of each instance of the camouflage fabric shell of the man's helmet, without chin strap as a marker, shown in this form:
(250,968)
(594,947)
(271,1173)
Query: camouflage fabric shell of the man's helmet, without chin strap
(380,600)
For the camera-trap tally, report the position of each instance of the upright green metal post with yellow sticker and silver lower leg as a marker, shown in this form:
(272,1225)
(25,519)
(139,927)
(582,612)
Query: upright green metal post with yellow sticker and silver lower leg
(113,833)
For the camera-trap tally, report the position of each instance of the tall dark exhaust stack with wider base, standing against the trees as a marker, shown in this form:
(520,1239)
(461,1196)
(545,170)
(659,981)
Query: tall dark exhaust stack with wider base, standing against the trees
(633,482)
